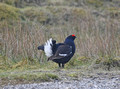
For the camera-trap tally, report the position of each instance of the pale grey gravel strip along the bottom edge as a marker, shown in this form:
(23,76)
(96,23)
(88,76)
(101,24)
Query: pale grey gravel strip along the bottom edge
(90,83)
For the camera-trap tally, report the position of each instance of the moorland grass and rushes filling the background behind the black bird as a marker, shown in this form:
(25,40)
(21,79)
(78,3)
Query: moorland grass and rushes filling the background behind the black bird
(26,24)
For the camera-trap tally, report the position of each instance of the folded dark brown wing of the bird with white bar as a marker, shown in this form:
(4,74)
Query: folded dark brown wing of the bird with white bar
(62,51)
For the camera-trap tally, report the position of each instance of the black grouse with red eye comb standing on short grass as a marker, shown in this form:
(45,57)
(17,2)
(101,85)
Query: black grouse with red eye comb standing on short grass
(60,53)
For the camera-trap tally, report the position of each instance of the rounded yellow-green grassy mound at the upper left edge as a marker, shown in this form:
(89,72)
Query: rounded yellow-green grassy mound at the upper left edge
(8,15)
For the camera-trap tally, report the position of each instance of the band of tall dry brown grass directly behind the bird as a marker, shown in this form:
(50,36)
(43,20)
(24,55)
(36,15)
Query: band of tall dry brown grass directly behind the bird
(94,37)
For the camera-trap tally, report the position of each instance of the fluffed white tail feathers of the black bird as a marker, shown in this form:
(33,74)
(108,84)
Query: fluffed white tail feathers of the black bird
(48,48)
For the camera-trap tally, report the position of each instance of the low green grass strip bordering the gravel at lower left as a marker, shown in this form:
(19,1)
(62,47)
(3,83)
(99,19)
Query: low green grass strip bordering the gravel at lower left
(27,78)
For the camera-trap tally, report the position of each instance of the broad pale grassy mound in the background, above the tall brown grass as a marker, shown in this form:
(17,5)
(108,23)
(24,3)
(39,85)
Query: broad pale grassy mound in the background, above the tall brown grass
(51,15)
